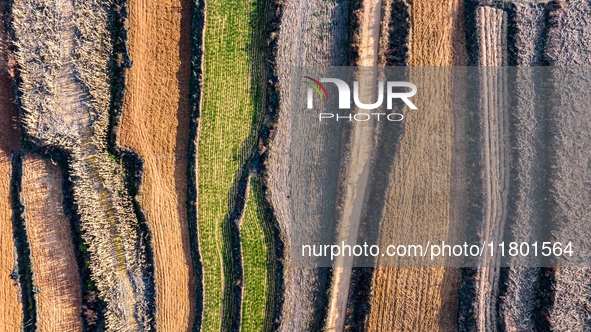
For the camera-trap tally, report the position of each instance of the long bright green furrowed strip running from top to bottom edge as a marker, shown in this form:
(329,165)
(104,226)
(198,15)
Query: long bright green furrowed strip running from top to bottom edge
(230,118)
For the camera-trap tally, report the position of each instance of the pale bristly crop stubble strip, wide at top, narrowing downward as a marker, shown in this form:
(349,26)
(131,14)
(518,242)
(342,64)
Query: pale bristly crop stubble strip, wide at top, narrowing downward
(64,50)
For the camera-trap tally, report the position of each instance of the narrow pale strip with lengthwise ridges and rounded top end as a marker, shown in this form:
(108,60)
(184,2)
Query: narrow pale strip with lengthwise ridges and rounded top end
(494,158)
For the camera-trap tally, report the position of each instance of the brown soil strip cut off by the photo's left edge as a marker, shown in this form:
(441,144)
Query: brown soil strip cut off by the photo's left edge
(11,309)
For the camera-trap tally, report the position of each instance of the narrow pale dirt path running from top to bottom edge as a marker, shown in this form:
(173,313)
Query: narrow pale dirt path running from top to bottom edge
(358,173)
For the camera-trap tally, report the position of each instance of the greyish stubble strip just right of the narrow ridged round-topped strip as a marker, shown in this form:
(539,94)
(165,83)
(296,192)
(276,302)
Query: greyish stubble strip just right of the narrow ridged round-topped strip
(518,304)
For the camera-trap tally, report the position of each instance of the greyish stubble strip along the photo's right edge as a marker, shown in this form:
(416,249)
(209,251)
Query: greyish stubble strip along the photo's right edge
(567,44)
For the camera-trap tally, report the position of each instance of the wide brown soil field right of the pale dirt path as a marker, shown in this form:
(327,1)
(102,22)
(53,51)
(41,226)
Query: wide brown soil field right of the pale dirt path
(423,299)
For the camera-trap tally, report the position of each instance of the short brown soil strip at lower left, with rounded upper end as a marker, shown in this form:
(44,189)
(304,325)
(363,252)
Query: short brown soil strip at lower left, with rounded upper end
(58,295)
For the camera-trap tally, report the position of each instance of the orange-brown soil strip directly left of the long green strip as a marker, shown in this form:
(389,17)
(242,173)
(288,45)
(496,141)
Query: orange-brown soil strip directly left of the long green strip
(155,124)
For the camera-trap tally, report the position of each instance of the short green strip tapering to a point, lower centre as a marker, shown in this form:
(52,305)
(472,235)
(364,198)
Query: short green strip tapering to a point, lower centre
(257,258)
